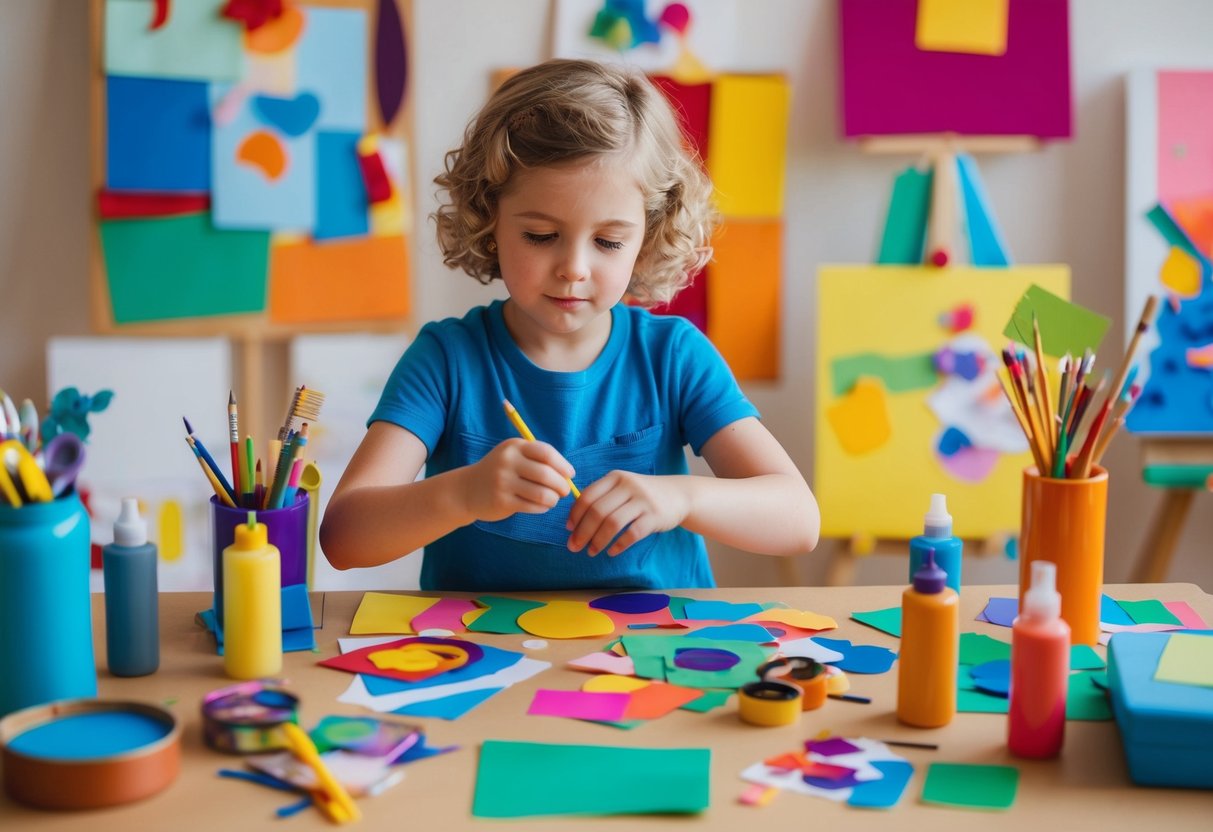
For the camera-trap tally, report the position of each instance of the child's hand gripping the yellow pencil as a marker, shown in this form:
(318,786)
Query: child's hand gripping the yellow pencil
(519,476)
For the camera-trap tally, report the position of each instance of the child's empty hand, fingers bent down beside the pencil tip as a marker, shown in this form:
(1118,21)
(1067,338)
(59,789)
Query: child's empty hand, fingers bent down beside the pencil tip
(635,505)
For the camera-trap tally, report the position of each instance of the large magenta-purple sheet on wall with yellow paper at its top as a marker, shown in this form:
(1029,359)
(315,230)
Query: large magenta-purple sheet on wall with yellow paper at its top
(890,87)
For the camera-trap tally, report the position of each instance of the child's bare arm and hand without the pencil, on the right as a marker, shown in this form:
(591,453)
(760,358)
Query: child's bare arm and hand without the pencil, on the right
(759,502)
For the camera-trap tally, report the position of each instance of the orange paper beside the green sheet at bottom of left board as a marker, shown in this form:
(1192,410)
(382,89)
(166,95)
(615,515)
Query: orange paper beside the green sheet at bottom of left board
(341,281)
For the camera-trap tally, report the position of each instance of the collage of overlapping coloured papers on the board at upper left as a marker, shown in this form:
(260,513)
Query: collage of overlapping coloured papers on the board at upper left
(301,204)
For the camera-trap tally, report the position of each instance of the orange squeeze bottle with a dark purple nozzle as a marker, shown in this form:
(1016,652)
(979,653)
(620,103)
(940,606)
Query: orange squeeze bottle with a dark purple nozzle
(931,645)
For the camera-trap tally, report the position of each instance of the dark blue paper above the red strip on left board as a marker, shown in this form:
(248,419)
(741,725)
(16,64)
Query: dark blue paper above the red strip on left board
(158,135)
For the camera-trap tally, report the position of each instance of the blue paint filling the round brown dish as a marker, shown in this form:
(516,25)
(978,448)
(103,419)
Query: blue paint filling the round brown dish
(90,736)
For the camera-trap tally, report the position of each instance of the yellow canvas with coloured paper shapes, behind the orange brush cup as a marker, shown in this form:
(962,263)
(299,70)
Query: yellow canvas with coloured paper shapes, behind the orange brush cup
(897,314)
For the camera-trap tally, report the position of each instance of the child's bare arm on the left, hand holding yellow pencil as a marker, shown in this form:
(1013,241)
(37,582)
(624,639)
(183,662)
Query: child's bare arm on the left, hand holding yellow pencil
(379,514)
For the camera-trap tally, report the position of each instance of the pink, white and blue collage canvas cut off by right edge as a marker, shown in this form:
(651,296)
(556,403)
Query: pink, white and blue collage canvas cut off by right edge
(1170,248)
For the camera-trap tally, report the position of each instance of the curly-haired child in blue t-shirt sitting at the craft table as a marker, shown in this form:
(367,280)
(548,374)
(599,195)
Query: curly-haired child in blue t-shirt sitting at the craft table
(574,189)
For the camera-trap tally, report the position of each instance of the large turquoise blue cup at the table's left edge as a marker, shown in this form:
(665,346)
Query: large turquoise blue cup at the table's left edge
(45,605)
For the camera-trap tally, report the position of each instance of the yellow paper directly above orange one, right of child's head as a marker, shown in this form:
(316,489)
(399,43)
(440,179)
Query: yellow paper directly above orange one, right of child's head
(748,145)
